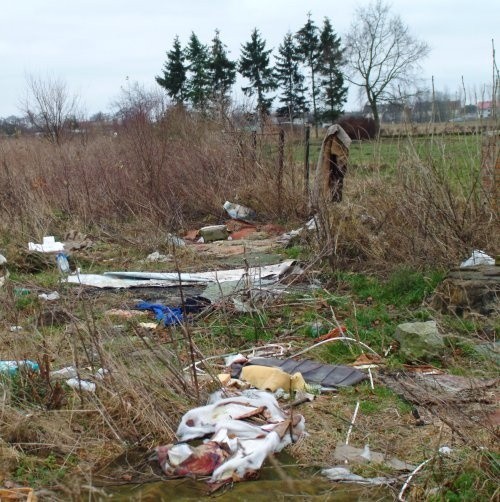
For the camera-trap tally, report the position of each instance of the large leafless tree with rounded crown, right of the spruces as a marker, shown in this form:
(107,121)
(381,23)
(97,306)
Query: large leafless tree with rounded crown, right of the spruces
(381,56)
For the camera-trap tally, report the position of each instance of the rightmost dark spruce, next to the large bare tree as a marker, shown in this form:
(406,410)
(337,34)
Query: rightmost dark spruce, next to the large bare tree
(333,91)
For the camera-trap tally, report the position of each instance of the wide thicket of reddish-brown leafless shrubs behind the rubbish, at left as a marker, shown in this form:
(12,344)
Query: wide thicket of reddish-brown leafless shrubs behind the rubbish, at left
(166,174)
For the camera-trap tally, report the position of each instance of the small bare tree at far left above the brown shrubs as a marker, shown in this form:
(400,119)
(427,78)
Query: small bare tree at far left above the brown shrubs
(50,107)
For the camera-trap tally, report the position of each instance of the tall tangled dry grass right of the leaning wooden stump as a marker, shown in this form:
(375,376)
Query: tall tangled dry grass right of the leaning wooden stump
(423,210)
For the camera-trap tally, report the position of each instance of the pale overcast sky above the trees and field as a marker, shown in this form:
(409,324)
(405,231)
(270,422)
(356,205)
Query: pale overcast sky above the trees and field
(94,45)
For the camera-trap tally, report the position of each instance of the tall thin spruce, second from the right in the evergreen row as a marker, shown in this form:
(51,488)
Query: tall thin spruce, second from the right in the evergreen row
(309,48)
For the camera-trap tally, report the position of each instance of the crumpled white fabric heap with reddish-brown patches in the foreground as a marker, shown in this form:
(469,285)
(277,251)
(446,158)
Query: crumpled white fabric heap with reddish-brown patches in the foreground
(245,428)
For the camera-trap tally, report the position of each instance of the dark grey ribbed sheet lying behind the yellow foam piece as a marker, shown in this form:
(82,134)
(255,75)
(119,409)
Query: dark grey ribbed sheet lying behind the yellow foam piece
(326,375)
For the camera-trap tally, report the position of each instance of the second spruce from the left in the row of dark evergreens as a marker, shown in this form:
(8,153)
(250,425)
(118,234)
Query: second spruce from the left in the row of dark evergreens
(198,83)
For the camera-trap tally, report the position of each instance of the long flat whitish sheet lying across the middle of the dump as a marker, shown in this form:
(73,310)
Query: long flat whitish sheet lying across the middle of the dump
(253,275)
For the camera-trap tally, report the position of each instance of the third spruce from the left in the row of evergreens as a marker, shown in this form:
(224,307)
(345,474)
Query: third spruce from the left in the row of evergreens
(222,72)
